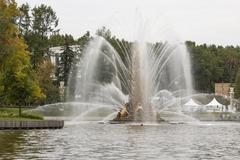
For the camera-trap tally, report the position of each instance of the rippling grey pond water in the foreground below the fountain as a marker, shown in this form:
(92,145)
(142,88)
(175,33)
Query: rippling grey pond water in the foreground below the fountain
(106,141)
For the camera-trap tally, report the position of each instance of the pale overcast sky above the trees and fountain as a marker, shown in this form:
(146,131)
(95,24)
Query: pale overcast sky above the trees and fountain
(203,21)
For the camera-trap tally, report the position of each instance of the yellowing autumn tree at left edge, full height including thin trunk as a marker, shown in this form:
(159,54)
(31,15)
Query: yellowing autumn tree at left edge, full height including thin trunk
(17,79)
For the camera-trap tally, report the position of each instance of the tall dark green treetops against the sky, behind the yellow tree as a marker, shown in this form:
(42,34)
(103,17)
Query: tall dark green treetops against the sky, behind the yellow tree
(36,29)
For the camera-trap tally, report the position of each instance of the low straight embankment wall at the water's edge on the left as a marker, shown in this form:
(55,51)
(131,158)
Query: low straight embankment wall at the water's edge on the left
(31,124)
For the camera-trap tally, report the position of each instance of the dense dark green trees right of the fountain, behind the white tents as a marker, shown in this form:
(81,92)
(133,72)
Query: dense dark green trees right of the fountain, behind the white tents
(212,64)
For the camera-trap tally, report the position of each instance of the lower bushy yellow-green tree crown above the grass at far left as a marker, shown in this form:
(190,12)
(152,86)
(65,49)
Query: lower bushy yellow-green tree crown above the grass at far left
(18,79)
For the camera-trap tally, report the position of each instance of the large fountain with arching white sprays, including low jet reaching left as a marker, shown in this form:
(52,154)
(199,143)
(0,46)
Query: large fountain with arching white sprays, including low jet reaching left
(143,79)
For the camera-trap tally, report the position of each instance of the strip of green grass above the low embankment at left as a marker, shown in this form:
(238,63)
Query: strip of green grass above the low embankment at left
(13,114)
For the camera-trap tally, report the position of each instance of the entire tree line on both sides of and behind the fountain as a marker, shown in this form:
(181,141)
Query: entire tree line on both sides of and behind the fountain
(26,72)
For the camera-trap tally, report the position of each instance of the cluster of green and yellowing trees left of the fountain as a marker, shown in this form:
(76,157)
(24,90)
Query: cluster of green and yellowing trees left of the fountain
(26,72)
